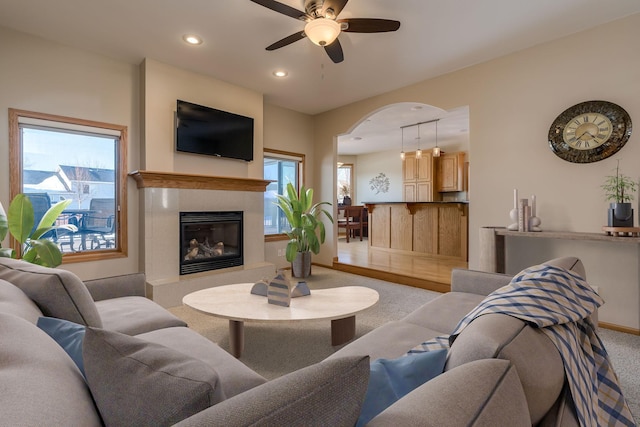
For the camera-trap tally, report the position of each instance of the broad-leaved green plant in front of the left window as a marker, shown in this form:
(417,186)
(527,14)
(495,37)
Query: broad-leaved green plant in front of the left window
(19,222)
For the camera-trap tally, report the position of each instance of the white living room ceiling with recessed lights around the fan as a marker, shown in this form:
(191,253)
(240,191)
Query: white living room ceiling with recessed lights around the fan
(435,37)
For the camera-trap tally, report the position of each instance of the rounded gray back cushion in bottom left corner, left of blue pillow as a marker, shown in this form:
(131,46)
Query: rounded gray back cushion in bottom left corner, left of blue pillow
(33,372)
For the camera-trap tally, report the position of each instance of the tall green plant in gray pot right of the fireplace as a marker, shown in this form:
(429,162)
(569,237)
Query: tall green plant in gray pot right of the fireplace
(305,222)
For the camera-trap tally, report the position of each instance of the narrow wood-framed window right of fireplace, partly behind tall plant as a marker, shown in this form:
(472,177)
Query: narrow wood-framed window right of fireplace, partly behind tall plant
(282,168)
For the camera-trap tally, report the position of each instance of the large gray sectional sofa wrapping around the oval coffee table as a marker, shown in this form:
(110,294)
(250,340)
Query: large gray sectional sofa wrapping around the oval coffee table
(144,366)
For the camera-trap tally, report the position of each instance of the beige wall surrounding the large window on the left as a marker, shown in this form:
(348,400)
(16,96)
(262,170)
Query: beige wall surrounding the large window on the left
(42,76)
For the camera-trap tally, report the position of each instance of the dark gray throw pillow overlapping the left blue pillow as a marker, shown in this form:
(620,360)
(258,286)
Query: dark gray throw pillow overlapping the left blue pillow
(139,383)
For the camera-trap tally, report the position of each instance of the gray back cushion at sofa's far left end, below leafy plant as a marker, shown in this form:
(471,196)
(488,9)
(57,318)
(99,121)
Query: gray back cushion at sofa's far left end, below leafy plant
(58,293)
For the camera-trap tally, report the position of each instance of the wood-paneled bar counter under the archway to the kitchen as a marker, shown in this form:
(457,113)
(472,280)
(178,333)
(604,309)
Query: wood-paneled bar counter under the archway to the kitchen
(426,228)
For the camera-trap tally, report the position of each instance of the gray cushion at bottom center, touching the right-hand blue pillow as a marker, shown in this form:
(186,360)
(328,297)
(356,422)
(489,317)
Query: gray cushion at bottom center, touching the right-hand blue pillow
(329,393)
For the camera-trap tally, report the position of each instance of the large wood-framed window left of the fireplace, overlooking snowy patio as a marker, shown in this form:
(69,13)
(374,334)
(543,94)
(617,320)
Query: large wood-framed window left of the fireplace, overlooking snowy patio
(55,158)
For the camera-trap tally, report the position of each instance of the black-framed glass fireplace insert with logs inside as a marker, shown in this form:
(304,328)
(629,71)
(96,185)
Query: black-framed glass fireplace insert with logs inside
(210,241)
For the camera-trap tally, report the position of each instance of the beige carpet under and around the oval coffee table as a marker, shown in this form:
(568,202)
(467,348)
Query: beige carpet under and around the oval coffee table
(276,349)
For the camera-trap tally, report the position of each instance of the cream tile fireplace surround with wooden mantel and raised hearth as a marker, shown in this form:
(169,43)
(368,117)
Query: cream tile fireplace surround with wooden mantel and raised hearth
(168,194)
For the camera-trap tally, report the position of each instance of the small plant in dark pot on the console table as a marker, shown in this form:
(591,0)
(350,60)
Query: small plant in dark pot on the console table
(619,189)
